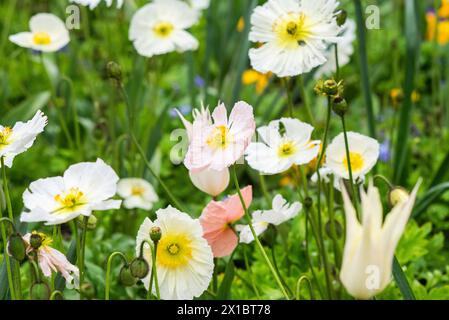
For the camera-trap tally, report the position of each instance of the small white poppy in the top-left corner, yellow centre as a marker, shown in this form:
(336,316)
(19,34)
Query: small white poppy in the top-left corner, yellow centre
(47,33)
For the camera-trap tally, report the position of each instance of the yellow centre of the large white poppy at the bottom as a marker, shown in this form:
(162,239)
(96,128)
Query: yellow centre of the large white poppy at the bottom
(174,250)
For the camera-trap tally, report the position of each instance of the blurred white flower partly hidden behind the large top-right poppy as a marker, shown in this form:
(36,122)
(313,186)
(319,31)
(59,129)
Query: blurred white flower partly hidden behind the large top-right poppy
(345,51)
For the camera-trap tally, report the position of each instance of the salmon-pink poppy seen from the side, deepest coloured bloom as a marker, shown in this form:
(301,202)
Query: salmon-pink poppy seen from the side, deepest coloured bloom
(217,218)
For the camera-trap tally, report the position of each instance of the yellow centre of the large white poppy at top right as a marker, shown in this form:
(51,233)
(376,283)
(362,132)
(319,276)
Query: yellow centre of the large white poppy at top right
(292,30)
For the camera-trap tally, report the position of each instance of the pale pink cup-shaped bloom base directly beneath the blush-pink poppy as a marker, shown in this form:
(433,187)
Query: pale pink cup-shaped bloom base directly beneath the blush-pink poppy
(210,181)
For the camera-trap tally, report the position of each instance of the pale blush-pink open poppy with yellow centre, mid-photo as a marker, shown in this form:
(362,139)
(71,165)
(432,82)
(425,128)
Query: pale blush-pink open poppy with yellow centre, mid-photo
(219,144)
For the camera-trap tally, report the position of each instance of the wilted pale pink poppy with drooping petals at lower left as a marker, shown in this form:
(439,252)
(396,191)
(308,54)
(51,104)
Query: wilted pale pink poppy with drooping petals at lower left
(50,259)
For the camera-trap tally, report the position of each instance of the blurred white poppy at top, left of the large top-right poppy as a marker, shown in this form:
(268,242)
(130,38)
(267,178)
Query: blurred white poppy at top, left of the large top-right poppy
(159,27)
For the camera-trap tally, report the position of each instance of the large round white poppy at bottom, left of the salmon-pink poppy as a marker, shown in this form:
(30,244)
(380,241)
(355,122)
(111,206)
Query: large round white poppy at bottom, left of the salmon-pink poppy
(184,259)
